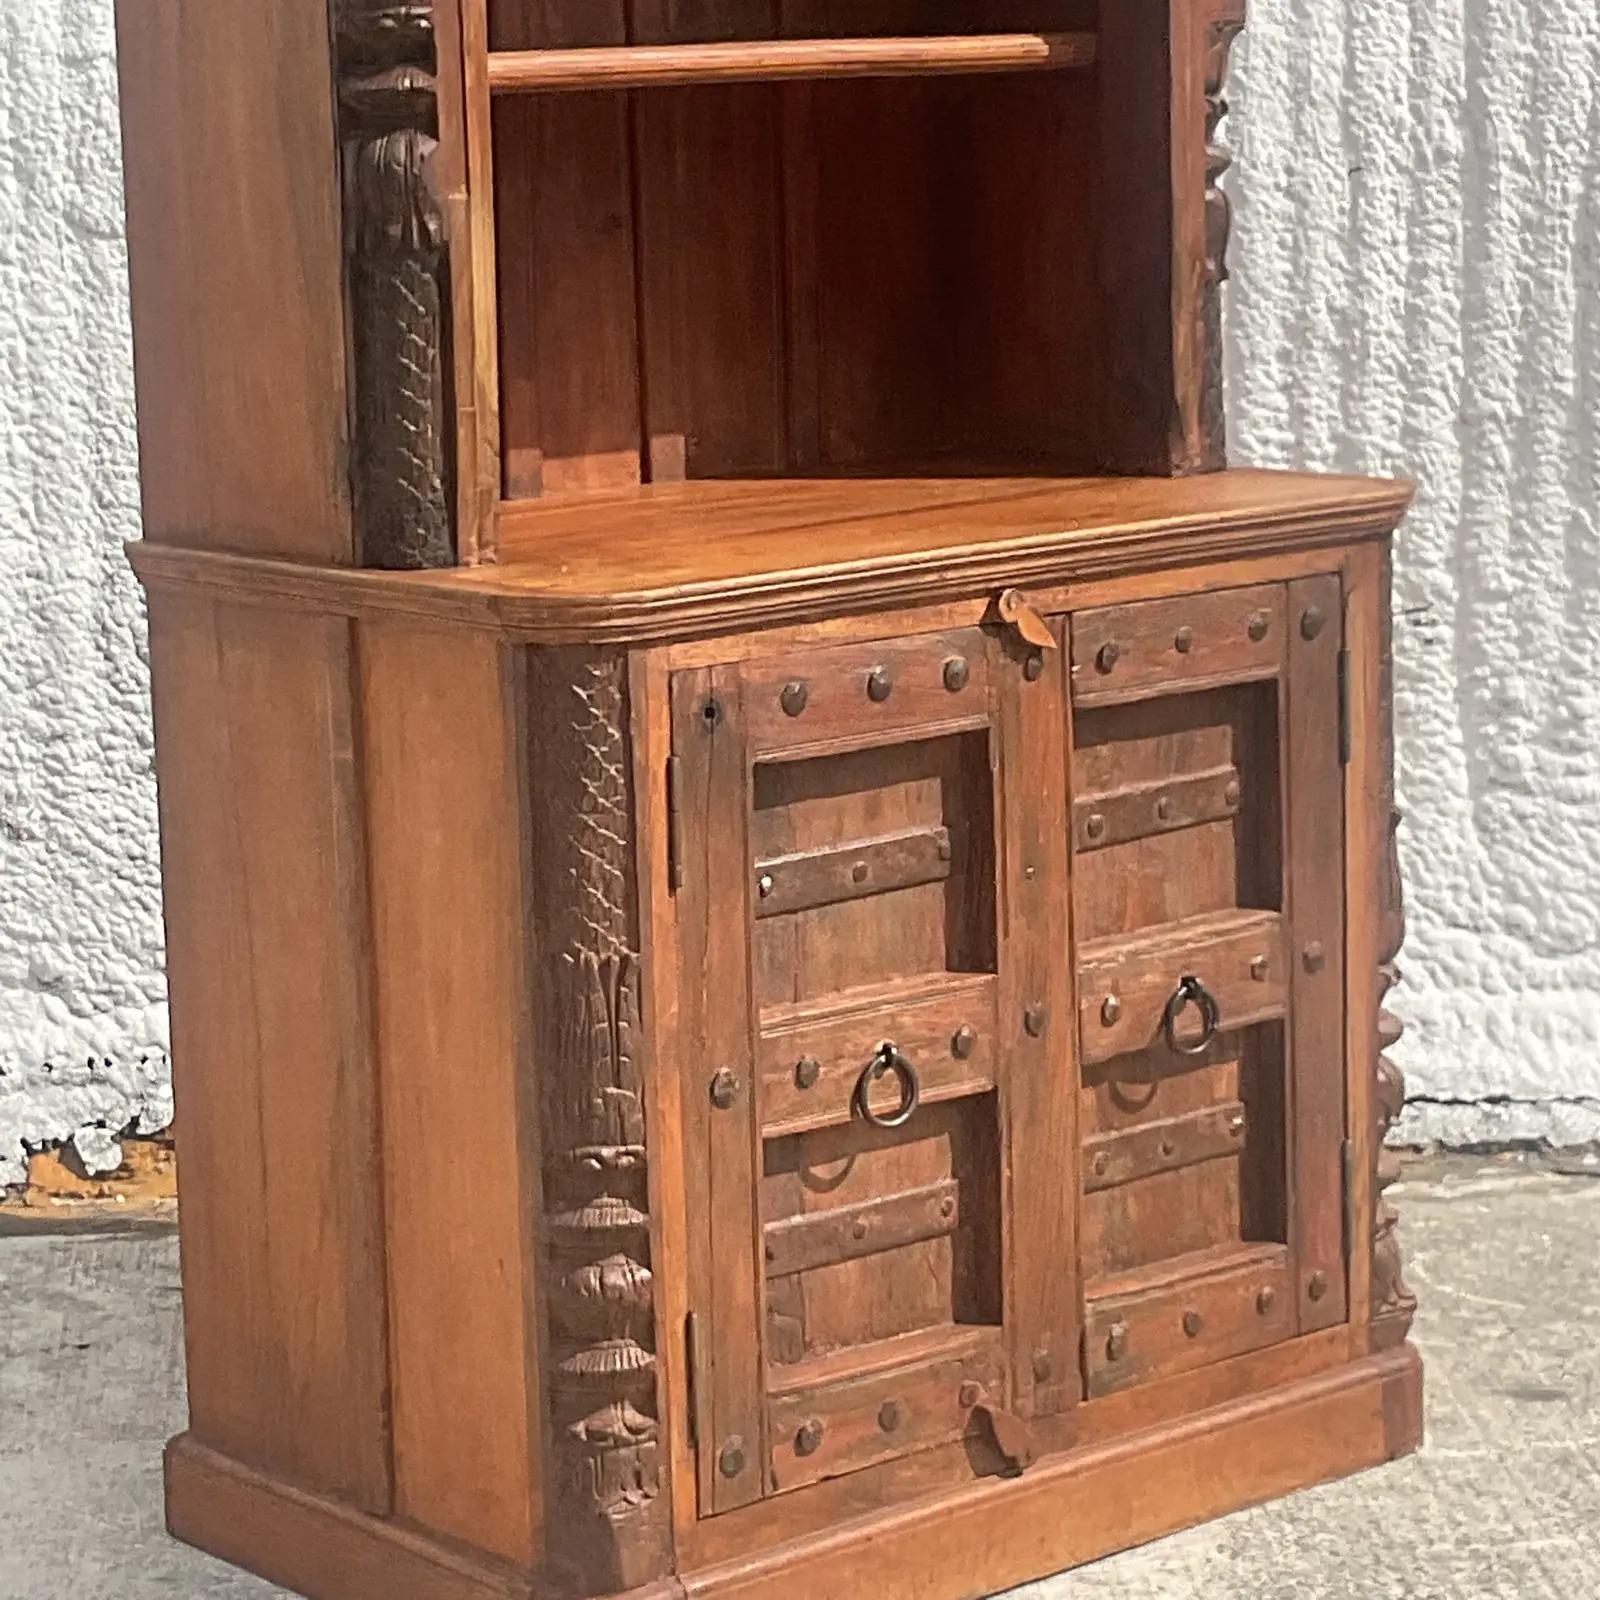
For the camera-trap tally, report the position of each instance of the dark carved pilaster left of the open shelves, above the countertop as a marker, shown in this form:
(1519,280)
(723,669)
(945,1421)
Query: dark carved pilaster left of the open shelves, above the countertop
(394,241)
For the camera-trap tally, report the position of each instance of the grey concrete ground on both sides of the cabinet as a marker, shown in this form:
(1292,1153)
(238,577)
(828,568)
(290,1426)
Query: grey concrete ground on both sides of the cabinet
(1505,1502)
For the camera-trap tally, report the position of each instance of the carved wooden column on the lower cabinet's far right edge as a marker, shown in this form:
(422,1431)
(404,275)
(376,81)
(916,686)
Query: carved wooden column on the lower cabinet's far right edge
(1393,1303)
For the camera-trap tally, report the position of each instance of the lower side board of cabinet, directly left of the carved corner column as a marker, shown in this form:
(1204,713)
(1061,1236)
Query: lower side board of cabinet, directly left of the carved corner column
(442,796)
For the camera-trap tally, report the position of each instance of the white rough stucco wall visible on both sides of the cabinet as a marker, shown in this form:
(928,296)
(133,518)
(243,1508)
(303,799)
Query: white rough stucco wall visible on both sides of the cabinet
(1417,287)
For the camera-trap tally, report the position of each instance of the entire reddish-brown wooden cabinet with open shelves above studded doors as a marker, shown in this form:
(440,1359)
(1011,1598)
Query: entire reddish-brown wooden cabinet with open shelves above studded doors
(780,887)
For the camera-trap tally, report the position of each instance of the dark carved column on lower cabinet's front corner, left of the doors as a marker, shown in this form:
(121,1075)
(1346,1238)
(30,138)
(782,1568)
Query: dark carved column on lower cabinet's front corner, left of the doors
(606,1505)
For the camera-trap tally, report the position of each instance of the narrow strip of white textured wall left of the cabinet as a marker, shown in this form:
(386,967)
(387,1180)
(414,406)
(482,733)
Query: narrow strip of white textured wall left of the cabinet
(82,1017)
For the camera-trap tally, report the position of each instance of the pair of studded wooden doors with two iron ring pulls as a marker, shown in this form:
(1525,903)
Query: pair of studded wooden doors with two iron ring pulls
(1010,1018)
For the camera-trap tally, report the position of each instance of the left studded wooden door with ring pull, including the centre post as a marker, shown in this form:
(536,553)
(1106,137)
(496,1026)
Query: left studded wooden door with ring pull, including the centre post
(876,1066)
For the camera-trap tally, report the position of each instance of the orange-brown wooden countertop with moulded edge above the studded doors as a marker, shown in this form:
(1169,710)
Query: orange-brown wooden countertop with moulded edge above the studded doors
(676,559)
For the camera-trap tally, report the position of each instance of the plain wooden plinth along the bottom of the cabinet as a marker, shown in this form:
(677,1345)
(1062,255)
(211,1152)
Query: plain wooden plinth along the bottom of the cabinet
(986,1537)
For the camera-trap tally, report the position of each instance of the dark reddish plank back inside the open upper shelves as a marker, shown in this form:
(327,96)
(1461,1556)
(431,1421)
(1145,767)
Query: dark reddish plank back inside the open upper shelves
(796,279)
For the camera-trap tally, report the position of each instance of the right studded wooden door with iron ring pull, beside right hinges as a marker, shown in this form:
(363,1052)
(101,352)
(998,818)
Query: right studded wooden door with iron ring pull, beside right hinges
(1209,919)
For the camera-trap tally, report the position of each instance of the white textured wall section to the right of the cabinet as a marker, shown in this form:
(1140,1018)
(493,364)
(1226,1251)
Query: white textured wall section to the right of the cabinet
(1418,290)
